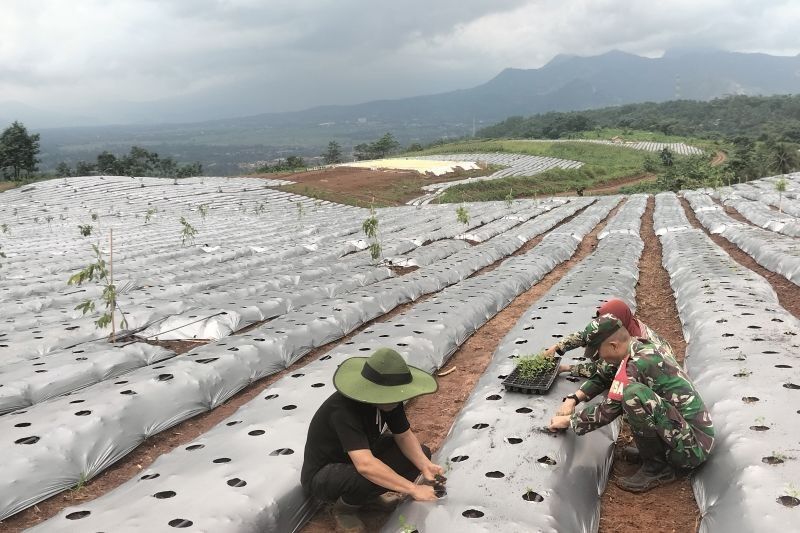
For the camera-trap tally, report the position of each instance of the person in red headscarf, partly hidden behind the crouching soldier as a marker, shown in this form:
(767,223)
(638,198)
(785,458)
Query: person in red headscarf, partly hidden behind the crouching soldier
(620,310)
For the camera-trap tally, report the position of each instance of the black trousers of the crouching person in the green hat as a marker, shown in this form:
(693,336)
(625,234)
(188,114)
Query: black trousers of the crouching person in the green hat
(343,480)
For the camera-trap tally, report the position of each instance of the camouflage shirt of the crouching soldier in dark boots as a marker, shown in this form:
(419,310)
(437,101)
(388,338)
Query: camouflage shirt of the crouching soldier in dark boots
(656,368)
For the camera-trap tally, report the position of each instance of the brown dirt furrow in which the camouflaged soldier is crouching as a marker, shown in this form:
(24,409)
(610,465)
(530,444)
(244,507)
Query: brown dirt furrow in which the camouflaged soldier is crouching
(665,509)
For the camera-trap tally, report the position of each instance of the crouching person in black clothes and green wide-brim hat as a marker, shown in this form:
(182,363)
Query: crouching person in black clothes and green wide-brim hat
(350,460)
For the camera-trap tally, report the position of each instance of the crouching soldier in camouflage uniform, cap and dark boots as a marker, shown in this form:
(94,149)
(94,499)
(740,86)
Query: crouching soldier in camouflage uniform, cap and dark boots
(670,423)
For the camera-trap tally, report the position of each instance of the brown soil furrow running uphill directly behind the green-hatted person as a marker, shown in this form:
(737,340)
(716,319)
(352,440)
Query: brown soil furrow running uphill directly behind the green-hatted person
(432,416)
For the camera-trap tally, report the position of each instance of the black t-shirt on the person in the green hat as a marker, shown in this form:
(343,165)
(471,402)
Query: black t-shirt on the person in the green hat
(342,425)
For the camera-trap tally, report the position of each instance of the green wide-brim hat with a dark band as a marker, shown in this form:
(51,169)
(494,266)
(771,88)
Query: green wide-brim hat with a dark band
(383,377)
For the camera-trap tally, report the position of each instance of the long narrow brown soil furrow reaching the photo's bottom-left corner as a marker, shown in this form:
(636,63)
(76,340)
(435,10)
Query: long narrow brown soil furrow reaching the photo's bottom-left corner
(147,452)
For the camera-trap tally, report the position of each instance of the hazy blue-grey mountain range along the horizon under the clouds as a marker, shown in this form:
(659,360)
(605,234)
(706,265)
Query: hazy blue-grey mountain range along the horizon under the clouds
(565,83)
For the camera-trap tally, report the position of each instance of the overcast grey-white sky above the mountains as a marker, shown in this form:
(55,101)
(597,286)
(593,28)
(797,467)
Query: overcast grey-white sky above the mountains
(220,58)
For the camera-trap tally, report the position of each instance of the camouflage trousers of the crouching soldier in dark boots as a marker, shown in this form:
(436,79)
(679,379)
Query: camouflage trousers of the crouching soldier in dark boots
(648,414)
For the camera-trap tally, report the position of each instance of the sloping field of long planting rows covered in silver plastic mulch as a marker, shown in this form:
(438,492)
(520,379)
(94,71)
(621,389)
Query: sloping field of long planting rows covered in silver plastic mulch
(196,417)
